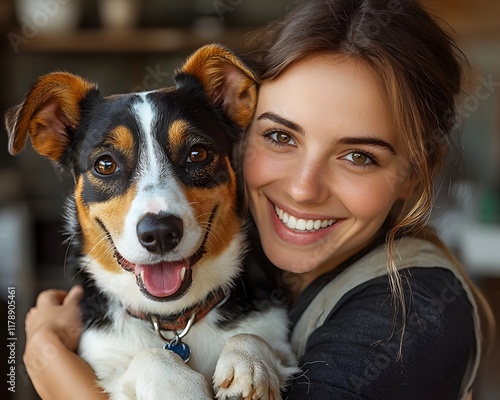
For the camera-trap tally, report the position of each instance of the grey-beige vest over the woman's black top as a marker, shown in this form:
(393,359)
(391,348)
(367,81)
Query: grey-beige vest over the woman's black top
(410,252)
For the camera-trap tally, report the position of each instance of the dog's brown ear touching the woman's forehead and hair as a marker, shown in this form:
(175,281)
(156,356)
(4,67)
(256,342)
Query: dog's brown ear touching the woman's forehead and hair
(225,79)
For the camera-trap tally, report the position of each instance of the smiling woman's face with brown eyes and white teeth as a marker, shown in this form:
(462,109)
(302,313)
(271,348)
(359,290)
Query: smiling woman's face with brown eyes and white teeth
(322,163)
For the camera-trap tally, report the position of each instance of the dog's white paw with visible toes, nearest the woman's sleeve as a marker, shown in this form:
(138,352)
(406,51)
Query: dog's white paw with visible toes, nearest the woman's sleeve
(248,368)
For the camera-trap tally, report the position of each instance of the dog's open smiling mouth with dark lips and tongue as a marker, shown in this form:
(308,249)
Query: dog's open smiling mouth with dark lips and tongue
(165,280)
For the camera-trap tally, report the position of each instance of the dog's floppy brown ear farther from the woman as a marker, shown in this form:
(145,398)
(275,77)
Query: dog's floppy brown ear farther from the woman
(49,114)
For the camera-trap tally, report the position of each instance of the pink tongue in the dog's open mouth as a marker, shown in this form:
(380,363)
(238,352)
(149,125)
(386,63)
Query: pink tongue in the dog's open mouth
(163,279)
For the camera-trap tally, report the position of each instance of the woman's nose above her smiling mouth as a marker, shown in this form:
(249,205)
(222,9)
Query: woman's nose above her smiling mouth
(308,182)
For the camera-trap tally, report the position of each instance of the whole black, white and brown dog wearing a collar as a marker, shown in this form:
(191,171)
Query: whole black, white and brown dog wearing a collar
(156,225)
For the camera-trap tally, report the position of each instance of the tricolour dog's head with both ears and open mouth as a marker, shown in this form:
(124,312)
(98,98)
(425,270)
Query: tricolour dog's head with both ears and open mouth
(155,189)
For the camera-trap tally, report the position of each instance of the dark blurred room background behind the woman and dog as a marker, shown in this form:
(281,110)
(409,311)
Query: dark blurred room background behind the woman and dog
(132,45)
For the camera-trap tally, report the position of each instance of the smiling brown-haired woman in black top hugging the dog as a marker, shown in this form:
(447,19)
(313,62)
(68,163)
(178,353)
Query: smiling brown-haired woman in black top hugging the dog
(355,111)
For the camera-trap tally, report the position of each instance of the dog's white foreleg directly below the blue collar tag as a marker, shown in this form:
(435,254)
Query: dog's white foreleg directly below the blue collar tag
(161,374)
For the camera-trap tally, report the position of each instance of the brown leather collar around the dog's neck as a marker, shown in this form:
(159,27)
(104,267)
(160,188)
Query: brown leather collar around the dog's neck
(186,318)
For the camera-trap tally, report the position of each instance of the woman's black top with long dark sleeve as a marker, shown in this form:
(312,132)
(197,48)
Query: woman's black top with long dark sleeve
(355,353)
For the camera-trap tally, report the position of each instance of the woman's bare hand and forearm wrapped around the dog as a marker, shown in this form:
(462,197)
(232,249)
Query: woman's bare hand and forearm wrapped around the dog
(53,329)
